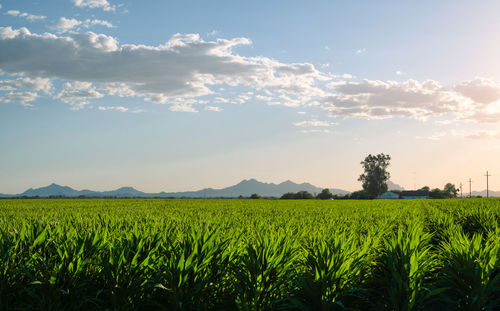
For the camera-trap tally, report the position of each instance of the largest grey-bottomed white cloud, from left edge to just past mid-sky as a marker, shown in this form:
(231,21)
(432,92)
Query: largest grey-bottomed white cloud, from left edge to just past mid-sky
(185,66)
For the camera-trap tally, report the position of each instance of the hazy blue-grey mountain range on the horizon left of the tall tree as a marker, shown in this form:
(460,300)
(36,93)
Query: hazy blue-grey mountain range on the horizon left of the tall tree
(244,188)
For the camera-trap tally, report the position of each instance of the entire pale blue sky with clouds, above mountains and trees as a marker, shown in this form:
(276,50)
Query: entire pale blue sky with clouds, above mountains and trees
(184,95)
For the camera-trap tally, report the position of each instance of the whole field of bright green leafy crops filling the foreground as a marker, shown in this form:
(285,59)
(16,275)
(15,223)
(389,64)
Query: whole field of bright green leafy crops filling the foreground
(132,254)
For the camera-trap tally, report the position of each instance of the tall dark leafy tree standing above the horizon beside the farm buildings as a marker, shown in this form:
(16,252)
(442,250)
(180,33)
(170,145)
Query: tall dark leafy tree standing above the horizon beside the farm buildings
(376,175)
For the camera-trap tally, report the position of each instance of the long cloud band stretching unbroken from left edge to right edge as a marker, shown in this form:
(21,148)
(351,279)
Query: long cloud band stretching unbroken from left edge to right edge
(186,68)
